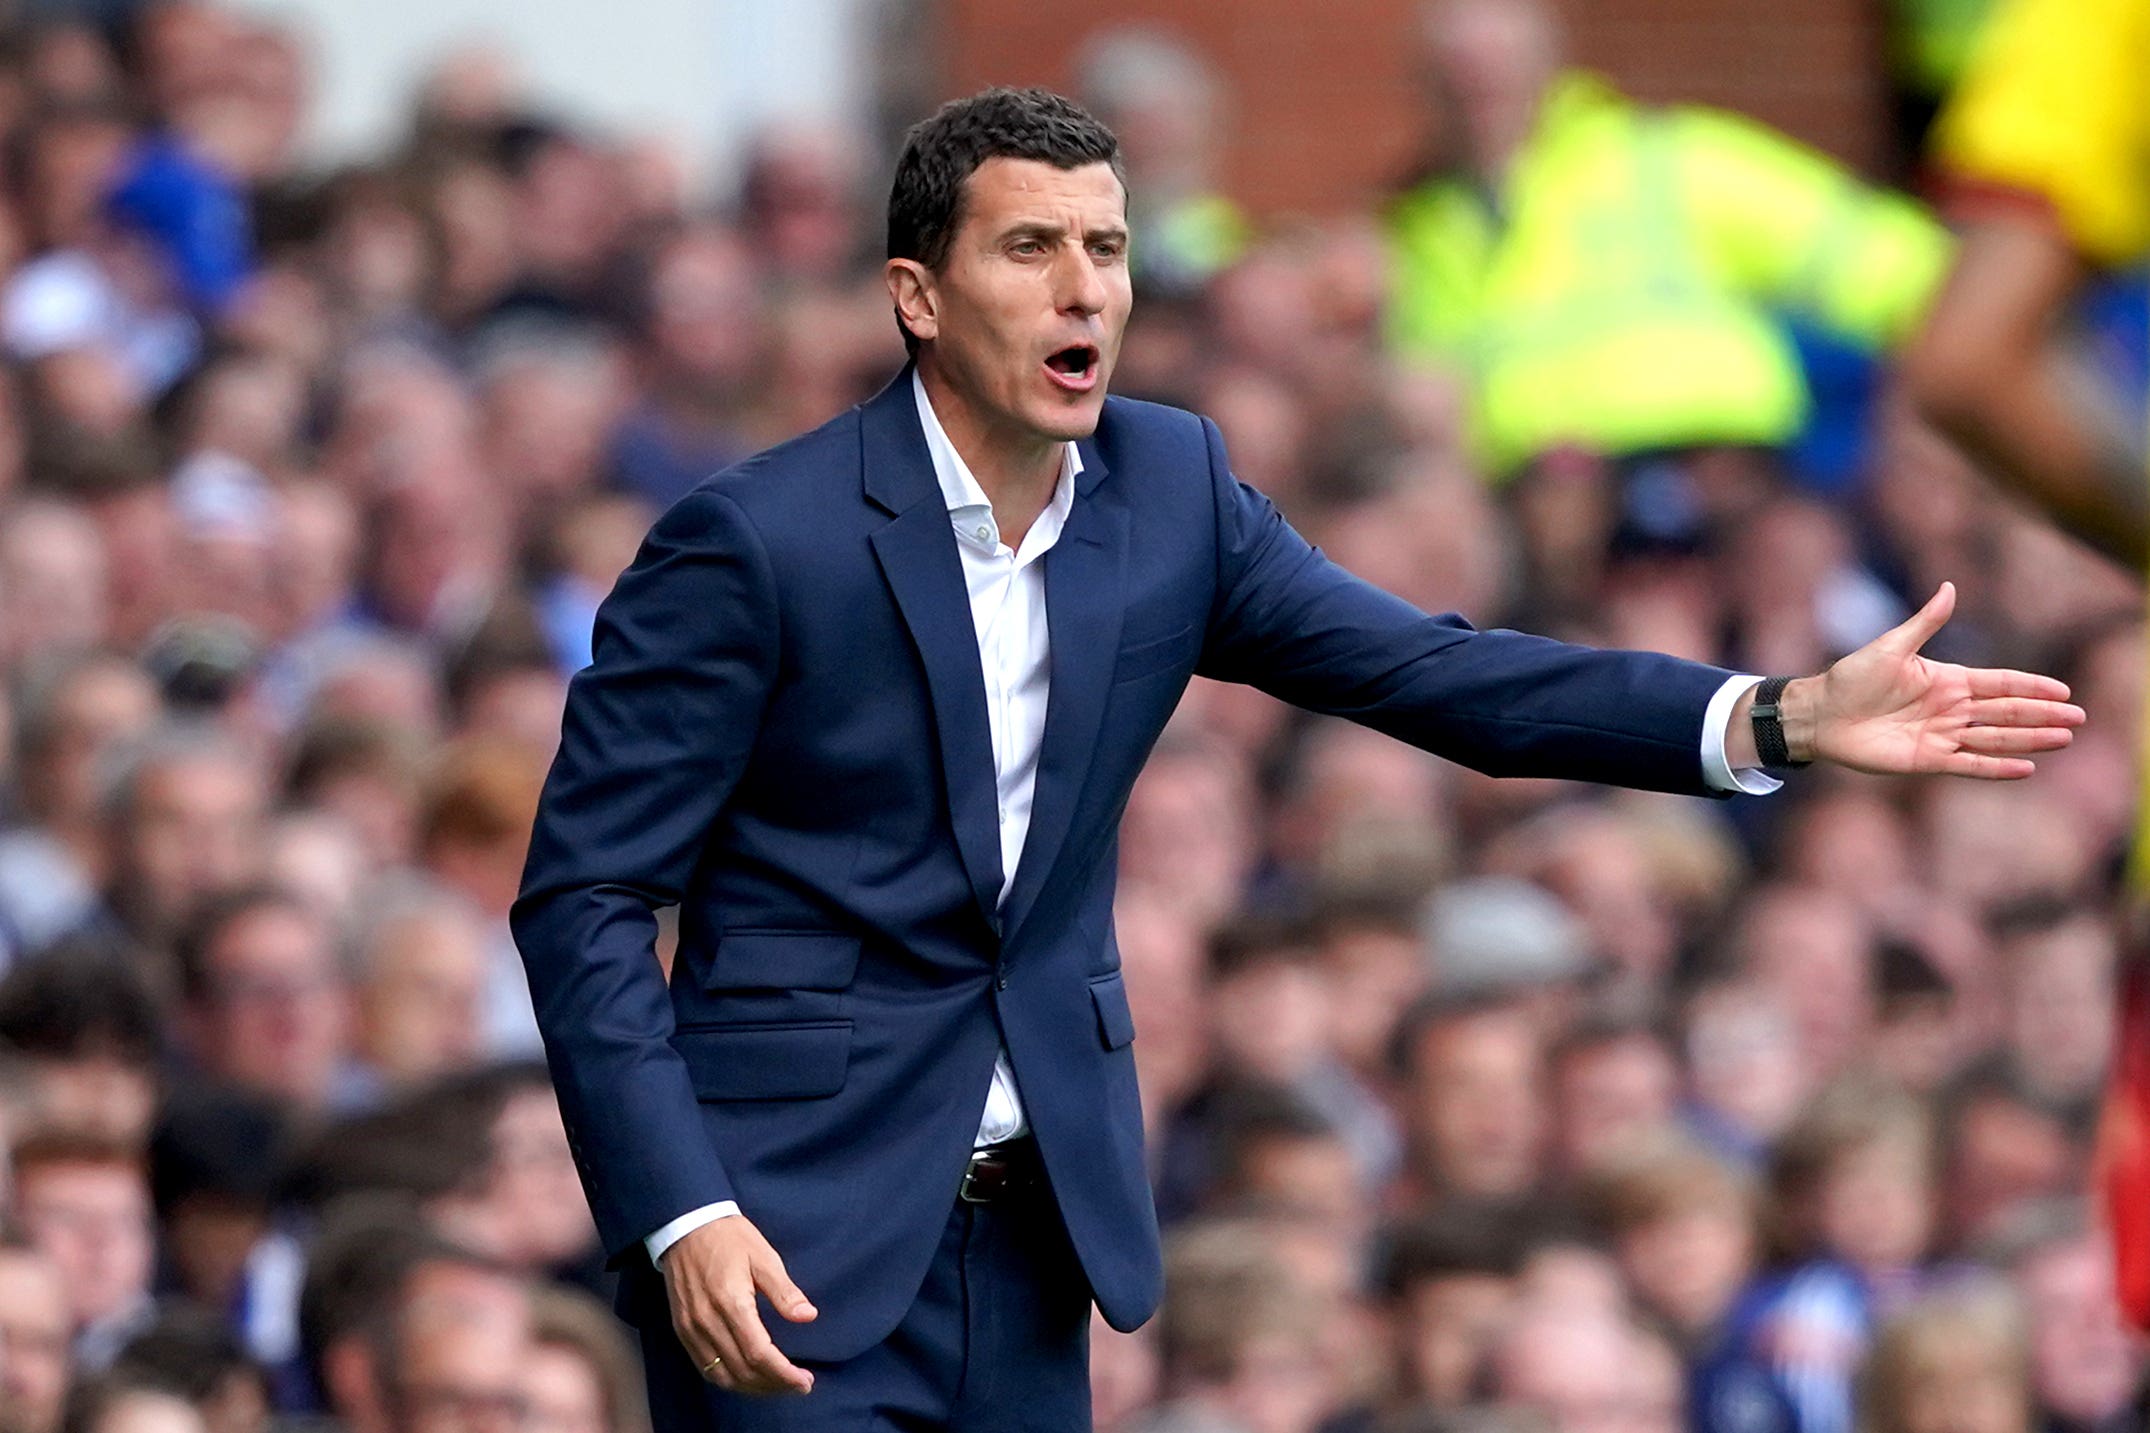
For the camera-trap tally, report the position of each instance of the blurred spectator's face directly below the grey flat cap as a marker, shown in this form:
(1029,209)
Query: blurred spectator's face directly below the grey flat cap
(1476,1103)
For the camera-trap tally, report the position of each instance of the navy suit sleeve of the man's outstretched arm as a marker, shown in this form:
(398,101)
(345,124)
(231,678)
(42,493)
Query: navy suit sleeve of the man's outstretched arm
(1291,622)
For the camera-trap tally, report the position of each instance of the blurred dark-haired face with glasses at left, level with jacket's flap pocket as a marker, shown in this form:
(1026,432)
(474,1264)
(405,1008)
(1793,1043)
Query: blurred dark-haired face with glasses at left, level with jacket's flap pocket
(274,1017)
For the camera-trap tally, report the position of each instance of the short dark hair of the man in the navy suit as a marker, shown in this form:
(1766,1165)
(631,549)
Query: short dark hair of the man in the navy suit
(926,203)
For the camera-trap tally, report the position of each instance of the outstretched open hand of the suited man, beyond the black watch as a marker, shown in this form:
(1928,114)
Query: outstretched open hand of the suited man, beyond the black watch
(1889,710)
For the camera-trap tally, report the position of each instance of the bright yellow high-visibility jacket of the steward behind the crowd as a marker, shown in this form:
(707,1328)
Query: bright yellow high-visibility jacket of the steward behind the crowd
(1624,287)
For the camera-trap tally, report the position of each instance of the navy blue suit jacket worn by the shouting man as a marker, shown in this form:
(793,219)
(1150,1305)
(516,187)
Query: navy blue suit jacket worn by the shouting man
(786,736)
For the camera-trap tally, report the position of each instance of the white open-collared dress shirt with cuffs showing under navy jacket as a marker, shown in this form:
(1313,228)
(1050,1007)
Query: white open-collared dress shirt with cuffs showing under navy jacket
(1007,607)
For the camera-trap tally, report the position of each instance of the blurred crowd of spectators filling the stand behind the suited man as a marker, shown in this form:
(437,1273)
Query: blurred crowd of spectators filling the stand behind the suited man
(1474,1103)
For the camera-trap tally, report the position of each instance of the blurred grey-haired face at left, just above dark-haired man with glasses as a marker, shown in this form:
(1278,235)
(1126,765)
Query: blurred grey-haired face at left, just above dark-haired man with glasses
(192,833)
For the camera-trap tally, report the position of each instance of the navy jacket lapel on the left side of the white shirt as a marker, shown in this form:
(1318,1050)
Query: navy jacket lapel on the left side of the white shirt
(926,573)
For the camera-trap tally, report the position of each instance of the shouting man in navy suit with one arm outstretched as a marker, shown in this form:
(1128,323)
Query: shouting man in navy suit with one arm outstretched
(868,710)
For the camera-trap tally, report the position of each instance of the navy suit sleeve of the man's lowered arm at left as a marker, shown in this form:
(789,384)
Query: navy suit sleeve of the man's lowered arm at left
(657,734)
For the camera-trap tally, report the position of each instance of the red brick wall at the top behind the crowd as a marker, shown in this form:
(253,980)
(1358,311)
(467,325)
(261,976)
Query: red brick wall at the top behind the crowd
(1323,89)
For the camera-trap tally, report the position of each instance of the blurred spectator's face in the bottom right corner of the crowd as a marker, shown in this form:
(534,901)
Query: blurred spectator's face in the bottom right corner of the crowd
(2087,1365)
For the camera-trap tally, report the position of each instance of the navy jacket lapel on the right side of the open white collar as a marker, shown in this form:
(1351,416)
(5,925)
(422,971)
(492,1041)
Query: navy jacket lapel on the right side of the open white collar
(1085,600)
